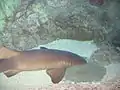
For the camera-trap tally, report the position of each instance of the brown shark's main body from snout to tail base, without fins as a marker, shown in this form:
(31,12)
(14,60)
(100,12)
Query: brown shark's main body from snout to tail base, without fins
(45,59)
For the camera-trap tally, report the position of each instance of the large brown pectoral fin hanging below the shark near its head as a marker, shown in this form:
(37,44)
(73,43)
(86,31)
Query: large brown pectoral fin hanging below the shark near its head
(56,74)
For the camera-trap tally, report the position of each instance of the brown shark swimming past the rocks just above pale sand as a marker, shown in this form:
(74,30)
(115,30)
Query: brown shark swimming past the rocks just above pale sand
(54,61)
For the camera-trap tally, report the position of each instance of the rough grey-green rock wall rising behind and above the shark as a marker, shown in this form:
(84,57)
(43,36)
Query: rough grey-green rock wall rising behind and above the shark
(35,22)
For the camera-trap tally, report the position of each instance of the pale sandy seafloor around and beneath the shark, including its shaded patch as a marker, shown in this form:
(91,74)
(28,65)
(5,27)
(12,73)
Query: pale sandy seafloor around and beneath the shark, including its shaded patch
(87,77)
